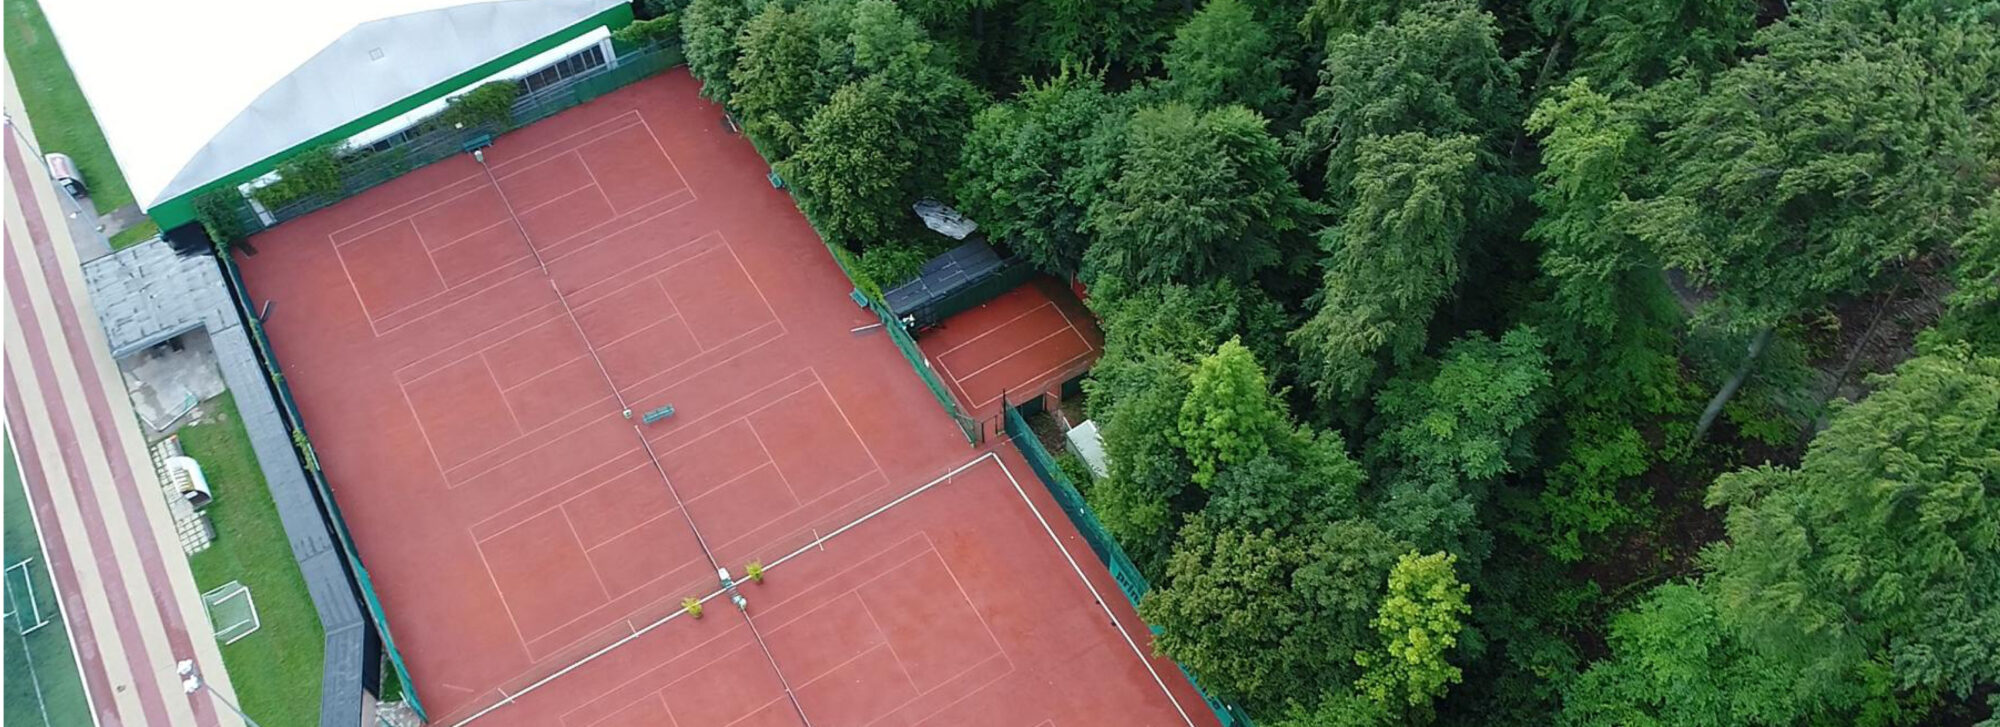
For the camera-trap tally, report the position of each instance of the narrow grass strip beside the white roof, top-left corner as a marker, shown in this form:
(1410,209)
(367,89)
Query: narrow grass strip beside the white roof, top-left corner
(63,121)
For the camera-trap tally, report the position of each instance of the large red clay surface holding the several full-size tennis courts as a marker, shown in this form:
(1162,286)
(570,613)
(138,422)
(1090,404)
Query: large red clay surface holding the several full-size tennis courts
(465,345)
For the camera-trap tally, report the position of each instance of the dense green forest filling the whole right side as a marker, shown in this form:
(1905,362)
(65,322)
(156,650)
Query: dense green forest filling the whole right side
(1581,363)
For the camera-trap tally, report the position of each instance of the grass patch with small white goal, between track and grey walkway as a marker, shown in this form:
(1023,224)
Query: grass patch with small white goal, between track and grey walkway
(277,670)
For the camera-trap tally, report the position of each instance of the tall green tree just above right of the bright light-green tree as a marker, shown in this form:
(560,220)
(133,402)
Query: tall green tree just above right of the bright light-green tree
(1395,259)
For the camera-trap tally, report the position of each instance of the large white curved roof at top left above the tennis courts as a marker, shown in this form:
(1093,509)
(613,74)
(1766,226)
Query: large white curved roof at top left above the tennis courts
(191,91)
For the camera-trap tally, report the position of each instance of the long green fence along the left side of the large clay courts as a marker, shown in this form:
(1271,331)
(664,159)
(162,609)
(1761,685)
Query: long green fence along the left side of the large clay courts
(329,508)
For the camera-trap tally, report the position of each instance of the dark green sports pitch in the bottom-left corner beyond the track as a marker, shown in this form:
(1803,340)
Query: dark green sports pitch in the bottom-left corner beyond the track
(43,686)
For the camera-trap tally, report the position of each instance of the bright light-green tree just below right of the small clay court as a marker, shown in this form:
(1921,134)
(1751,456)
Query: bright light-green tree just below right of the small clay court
(1231,414)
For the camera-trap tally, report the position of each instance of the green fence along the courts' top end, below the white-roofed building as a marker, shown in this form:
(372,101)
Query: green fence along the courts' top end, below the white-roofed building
(363,171)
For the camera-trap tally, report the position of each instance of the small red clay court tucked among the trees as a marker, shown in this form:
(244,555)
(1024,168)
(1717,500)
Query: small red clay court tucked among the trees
(1021,345)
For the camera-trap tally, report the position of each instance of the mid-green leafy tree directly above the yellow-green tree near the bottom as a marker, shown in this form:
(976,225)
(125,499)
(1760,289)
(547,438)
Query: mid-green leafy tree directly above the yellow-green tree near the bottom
(1451,432)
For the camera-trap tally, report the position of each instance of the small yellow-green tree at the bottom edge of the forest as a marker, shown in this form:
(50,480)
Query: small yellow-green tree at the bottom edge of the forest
(1419,626)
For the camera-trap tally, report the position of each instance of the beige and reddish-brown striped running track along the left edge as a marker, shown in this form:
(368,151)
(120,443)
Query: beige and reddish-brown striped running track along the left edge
(113,552)
